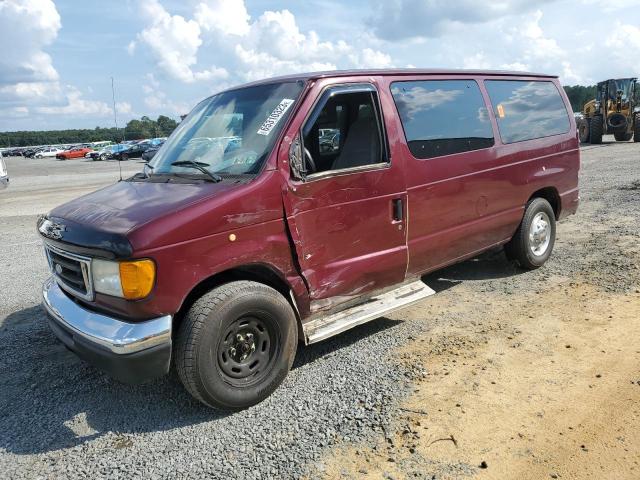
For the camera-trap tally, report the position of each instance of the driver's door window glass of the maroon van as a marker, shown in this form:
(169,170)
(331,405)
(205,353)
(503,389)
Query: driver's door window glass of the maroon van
(343,132)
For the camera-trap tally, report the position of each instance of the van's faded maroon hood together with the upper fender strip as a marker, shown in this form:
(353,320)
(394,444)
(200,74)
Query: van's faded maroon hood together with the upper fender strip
(134,218)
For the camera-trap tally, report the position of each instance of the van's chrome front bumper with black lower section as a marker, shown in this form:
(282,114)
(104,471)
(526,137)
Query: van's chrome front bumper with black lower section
(130,351)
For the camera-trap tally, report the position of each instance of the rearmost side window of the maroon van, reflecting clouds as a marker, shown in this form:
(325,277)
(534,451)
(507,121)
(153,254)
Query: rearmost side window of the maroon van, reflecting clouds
(527,110)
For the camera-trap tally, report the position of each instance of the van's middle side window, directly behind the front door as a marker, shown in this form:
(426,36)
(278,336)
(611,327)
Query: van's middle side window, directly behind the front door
(442,117)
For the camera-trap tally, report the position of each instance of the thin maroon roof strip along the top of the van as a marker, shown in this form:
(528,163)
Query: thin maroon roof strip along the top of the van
(394,72)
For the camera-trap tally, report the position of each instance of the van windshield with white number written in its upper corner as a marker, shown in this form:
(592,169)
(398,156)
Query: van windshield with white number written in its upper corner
(230,133)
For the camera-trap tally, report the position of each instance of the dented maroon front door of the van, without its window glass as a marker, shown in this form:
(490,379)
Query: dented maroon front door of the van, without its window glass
(346,239)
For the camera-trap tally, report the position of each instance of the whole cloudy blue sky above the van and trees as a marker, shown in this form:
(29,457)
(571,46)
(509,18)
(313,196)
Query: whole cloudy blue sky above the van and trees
(57,57)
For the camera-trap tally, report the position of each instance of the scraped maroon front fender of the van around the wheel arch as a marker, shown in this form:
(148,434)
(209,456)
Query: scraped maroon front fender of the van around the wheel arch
(242,228)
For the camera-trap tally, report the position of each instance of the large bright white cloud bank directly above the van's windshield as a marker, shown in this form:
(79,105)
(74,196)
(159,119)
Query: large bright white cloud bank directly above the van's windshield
(272,44)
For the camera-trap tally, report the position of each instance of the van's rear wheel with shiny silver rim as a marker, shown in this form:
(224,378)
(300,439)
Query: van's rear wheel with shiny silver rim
(533,242)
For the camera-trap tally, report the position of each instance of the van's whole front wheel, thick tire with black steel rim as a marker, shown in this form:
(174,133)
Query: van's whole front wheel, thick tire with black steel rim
(236,345)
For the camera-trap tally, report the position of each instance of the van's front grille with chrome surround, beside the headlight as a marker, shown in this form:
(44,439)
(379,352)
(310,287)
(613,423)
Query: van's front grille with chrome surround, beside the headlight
(73,272)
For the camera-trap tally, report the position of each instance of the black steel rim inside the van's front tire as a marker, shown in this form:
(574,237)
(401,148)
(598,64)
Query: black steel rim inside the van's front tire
(247,350)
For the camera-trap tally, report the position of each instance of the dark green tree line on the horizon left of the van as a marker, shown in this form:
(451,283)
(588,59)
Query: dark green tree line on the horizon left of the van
(135,129)
